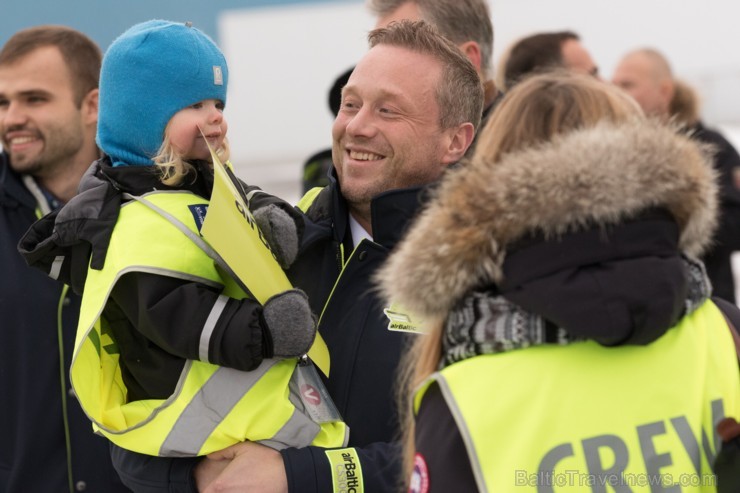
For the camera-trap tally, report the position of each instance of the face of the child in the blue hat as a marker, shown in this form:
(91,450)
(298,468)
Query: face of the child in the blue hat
(184,129)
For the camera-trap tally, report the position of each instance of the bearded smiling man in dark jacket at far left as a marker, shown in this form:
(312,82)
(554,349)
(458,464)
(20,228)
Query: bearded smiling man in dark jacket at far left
(48,116)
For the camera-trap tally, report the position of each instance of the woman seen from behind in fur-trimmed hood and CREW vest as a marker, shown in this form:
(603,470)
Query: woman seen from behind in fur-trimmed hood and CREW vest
(571,339)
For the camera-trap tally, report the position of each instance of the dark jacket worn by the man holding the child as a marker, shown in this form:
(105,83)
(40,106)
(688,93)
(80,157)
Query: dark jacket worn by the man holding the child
(364,353)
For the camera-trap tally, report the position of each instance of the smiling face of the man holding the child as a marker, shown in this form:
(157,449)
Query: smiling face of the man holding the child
(389,132)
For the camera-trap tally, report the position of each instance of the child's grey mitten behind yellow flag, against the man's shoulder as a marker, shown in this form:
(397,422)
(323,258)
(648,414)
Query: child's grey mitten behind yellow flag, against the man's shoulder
(281,232)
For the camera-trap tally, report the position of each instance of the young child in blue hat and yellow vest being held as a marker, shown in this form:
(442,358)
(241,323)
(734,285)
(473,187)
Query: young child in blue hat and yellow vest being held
(172,358)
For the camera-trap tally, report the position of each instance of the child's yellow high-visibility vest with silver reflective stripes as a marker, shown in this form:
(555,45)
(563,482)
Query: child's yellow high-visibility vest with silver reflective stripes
(212,407)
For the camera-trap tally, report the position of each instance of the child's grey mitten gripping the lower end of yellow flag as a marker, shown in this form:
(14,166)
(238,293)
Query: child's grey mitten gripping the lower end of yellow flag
(290,323)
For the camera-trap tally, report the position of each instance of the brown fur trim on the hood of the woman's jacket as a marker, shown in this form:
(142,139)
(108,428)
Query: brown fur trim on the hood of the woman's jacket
(596,176)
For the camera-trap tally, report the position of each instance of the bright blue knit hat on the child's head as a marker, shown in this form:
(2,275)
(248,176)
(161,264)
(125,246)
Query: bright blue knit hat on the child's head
(149,73)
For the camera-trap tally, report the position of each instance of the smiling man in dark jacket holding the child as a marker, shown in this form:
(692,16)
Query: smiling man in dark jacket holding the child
(408,111)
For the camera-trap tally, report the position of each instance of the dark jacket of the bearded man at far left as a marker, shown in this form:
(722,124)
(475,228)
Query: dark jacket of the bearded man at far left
(37,407)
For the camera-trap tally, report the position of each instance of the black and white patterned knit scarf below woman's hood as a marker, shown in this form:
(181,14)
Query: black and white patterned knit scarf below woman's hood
(484,323)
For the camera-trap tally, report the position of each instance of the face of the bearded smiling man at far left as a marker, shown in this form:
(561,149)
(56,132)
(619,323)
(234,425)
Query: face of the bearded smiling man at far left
(47,118)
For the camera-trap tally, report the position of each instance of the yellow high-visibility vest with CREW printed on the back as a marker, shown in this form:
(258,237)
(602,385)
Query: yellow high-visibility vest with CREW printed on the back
(583,417)
